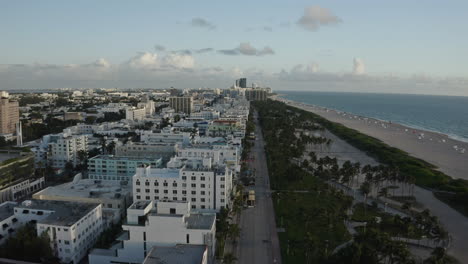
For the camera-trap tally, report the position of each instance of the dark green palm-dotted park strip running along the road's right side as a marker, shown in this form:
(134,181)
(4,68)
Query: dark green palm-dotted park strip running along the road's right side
(313,220)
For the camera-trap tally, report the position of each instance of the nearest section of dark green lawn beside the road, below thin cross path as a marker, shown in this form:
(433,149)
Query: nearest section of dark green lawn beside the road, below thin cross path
(312,230)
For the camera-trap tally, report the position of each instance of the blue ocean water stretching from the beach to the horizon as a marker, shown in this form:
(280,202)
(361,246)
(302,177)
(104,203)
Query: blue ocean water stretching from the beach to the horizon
(444,114)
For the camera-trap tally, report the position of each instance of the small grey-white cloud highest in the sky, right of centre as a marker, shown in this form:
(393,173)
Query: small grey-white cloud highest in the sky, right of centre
(315,16)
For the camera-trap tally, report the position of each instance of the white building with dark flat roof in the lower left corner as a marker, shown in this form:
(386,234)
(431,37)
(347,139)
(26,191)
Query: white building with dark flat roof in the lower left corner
(72,227)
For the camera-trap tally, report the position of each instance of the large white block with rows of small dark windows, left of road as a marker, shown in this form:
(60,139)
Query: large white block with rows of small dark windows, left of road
(207,187)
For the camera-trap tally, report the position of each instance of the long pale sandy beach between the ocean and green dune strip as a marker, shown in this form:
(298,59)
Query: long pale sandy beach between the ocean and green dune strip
(449,155)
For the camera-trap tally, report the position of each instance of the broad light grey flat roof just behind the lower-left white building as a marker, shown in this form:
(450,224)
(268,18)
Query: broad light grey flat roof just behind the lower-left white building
(87,188)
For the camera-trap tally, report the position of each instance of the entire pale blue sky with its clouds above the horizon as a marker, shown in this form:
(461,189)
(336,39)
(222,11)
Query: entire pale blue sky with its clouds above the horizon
(361,46)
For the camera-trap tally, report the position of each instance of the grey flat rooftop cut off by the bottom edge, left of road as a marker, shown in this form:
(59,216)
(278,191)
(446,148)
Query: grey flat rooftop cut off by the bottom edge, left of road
(178,254)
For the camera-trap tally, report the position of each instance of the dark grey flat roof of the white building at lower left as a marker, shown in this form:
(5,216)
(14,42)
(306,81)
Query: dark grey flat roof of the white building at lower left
(64,213)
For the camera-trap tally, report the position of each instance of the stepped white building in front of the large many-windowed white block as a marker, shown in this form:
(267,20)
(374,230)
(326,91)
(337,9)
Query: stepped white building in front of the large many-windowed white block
(151,224)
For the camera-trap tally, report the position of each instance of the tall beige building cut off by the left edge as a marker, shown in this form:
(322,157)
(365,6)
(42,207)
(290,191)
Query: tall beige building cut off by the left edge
(9,114)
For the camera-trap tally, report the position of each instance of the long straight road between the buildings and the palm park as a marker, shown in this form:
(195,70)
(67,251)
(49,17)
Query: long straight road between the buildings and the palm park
(258,242)
